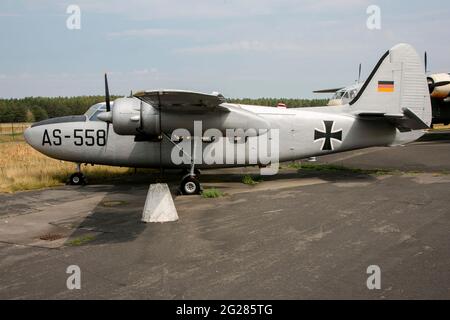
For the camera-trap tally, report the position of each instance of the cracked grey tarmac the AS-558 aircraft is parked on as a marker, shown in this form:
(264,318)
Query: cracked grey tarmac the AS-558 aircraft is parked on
(293,236)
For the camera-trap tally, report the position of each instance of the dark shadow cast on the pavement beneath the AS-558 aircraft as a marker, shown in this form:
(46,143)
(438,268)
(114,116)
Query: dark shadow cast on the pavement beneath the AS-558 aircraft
(117,218)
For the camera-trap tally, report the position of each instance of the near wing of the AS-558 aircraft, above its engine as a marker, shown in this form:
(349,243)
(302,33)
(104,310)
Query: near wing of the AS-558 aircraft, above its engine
(181,100)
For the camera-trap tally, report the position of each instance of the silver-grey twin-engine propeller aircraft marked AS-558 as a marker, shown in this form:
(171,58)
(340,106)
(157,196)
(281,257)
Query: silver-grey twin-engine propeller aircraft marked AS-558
(392,108)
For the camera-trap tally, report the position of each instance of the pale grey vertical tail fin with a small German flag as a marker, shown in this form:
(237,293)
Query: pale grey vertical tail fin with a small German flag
(396,89)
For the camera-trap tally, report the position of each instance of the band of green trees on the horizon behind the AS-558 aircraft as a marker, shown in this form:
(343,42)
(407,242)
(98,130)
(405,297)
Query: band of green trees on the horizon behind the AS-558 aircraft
(40,108)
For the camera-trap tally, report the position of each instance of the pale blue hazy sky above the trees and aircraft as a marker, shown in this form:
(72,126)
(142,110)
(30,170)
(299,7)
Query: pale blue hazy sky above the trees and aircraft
(242,48)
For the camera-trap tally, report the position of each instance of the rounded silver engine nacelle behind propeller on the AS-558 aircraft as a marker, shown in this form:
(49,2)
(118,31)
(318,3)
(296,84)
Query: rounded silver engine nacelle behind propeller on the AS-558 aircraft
(126,117)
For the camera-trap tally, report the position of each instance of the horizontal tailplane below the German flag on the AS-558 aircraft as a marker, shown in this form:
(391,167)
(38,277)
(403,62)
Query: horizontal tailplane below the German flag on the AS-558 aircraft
(405,121)
